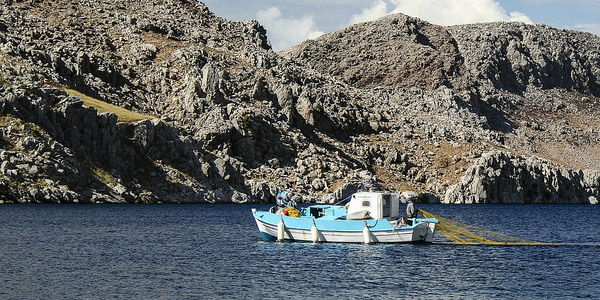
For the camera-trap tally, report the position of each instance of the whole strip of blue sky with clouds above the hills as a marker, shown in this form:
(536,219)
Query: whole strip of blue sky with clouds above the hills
(288,22)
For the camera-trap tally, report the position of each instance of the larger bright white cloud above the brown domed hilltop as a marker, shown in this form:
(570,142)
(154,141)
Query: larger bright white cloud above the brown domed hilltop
(453,12)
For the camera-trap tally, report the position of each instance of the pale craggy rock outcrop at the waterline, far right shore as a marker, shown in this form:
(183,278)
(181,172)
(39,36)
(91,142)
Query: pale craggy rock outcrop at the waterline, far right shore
(500,177)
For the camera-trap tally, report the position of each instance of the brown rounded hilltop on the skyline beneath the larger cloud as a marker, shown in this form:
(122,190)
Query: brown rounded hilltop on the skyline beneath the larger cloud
(394,51)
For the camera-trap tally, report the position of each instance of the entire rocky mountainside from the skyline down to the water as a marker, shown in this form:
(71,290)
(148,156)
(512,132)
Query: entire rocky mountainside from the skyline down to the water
(398,101)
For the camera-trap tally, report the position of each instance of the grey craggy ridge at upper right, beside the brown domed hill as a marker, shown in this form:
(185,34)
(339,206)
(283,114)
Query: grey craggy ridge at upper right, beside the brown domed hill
(514,56)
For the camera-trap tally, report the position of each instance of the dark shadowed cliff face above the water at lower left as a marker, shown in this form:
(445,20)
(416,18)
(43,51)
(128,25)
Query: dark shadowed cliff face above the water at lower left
(78,155)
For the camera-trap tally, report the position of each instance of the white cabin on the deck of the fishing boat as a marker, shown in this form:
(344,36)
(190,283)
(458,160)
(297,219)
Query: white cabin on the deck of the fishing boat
(380,205)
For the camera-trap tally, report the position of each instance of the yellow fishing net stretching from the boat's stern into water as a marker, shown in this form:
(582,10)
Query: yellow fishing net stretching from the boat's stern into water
(466,234)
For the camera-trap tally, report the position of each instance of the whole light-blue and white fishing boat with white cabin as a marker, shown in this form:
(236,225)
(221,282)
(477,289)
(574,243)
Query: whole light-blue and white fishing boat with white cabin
(369,217)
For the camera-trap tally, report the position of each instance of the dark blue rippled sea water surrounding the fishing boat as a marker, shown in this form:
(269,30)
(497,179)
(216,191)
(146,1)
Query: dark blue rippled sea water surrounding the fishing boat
(215,252)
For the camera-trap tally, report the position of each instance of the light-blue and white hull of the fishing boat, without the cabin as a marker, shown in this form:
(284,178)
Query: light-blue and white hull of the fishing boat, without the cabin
(340,231)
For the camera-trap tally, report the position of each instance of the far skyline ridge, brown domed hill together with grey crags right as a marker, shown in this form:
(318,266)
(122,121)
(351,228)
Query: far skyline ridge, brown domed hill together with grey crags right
(401,51)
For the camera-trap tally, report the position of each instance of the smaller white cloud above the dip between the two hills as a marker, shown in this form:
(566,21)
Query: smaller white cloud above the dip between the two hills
(285,33)
